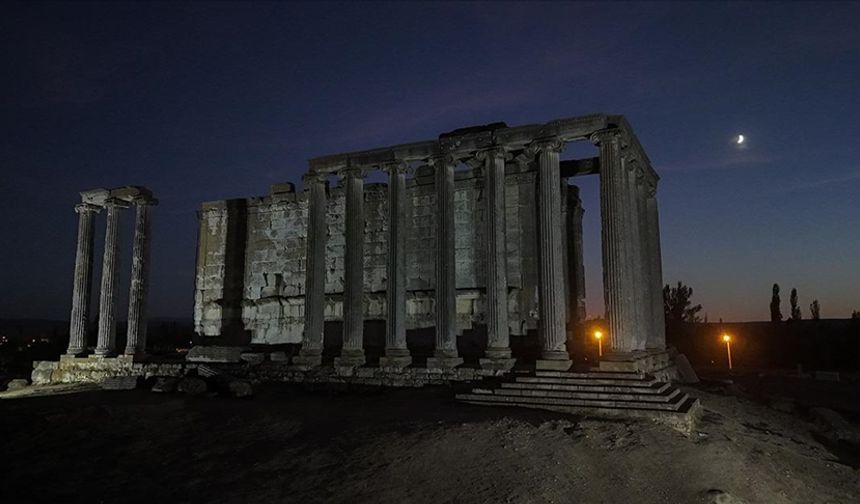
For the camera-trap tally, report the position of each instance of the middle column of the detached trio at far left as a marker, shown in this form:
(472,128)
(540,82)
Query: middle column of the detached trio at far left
(110,278)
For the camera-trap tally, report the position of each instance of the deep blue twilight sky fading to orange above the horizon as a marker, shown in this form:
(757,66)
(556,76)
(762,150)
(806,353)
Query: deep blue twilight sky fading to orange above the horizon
(205,101)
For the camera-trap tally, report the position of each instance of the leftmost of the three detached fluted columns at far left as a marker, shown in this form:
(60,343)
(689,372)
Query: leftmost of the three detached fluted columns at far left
(83,279)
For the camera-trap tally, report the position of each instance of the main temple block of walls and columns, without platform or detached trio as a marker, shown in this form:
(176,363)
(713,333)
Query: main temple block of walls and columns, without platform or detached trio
(480,226)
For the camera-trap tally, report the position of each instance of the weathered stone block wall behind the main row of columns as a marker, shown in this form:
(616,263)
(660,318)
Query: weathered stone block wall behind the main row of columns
(265,239)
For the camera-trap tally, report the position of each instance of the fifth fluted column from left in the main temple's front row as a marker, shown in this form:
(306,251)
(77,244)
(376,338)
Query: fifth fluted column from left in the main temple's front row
(498,353)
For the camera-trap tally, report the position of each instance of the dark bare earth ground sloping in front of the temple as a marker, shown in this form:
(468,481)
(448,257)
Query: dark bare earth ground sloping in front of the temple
(289,445)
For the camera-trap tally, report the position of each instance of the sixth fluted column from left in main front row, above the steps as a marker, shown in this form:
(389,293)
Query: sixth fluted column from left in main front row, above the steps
(551,288)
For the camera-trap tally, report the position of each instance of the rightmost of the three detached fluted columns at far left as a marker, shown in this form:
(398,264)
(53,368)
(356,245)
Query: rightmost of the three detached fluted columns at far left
(138,293)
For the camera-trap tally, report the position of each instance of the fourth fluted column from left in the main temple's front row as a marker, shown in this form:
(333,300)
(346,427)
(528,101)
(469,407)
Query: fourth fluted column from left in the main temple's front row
(446,278)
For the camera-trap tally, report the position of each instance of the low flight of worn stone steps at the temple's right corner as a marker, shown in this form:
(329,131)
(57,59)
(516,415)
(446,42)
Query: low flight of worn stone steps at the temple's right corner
(591,393)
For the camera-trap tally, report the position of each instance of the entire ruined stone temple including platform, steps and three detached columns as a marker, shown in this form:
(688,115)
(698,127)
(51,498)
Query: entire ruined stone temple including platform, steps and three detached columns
(393,265)
